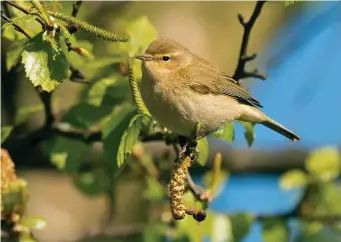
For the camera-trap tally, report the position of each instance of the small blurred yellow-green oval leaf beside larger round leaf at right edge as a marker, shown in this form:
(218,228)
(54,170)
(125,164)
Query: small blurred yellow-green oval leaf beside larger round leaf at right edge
(293,178)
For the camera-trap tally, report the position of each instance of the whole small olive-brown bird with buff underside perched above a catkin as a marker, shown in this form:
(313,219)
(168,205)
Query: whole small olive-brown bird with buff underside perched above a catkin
(181,89)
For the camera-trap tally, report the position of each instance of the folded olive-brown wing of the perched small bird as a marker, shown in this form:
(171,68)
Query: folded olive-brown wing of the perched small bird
(206,79)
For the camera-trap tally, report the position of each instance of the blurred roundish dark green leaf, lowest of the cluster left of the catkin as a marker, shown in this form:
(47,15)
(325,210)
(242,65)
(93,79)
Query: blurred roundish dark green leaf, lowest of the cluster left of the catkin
(92,183)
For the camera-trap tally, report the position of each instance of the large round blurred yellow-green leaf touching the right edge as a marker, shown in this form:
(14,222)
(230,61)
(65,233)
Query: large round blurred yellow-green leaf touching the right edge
(324,164)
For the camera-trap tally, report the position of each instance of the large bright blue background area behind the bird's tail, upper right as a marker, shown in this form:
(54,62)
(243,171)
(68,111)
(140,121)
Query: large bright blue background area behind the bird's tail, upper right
(303,89)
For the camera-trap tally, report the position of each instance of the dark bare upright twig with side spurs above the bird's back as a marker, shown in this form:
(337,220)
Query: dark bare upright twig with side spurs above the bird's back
(240,71)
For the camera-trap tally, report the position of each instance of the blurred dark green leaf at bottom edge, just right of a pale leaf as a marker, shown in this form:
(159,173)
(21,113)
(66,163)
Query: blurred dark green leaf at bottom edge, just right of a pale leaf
(241,223)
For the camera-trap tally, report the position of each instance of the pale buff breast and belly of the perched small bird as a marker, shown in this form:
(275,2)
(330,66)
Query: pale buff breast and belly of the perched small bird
(178,108)
